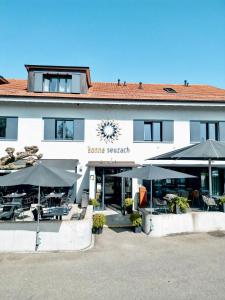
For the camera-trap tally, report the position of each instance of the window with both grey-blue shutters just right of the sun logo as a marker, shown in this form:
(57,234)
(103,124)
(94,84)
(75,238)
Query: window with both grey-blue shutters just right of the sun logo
(153,131)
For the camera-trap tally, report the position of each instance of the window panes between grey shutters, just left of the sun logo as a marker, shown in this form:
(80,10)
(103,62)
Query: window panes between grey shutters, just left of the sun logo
(64,129)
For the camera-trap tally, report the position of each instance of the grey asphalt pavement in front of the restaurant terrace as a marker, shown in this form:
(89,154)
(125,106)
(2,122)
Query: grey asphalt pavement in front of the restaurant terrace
(121,265)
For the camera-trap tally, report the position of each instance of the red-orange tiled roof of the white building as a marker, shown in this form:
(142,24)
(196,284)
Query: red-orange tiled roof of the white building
(111,91)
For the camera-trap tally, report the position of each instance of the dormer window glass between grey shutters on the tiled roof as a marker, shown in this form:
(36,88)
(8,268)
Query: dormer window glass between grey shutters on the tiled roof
(57,84)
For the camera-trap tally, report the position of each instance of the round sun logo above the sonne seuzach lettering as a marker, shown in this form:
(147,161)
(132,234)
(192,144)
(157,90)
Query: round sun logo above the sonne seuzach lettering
(108,131)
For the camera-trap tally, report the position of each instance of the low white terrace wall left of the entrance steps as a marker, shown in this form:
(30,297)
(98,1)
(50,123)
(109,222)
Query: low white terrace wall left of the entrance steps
(54,236)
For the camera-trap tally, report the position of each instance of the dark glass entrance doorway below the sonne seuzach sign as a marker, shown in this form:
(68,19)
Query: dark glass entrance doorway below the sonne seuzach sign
(111,191)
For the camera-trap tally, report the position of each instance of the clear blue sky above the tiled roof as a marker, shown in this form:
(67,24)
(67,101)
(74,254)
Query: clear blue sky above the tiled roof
(153,41)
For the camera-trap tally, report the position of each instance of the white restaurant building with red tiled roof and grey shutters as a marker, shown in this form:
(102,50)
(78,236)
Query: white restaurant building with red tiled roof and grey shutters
(110,127)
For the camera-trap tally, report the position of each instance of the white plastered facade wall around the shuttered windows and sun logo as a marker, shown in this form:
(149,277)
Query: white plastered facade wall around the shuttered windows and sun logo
(31,130)
